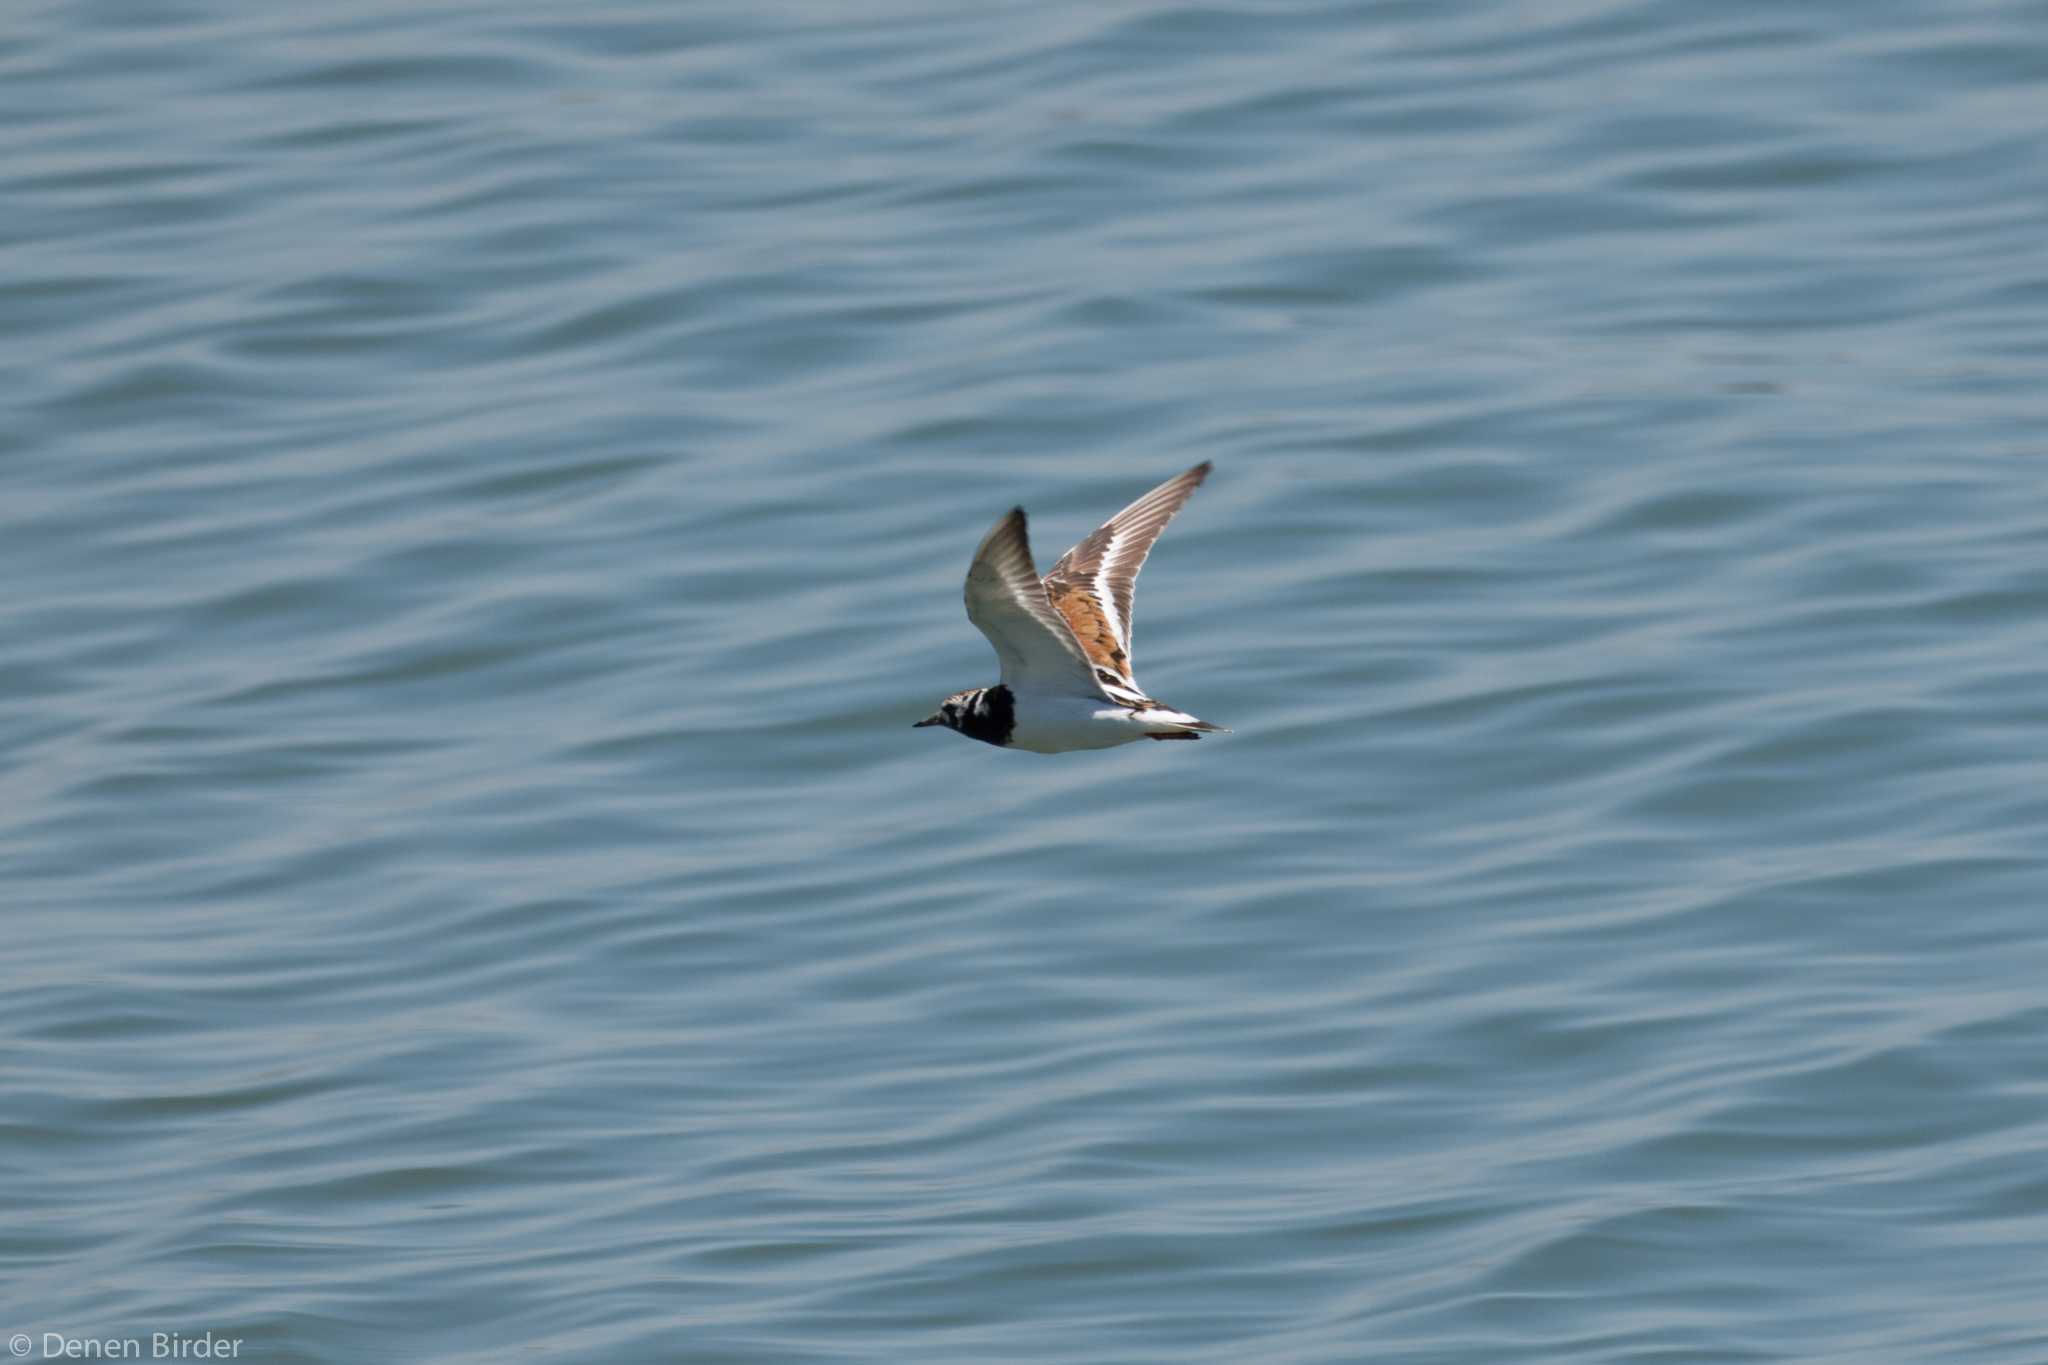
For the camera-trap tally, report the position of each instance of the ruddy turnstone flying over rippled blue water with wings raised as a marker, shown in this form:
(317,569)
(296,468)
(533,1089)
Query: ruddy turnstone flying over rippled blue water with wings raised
(1064,642)
